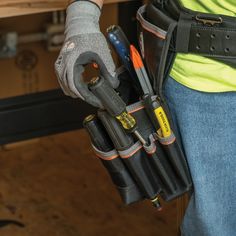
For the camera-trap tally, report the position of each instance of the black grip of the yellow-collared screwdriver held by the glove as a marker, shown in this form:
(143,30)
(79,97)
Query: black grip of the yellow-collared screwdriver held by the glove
(111,101)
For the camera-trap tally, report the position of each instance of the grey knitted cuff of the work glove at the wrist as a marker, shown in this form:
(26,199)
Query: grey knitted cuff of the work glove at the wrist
(82,18)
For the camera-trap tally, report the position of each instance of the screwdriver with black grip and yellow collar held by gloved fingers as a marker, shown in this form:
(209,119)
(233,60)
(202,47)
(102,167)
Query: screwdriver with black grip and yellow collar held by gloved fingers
(115,106)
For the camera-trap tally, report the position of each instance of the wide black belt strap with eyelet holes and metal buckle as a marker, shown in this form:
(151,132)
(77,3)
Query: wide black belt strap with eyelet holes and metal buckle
(206,34)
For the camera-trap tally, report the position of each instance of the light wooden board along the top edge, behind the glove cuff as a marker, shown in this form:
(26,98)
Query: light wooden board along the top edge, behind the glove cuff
(22,7)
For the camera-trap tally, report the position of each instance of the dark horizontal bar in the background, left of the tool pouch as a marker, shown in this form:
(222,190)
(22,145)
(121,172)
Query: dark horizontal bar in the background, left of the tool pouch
(35,115)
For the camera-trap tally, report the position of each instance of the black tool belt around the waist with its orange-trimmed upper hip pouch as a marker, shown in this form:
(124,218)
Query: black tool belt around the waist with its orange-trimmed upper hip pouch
(166,28)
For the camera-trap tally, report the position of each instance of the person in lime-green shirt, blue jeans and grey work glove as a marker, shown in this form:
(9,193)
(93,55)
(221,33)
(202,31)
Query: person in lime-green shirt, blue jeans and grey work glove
(200,93)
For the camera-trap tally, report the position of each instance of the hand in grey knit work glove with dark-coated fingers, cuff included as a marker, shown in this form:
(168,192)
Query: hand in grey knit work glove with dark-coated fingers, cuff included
(84,44)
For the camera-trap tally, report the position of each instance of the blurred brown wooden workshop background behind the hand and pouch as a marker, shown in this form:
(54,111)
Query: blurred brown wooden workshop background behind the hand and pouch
(50,181)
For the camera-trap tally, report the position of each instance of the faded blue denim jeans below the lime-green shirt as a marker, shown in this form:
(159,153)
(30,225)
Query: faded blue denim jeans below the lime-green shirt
(207,126)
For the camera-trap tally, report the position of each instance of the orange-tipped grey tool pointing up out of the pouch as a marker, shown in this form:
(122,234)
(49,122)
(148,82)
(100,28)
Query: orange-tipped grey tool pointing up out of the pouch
(140,71)
